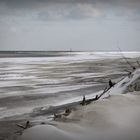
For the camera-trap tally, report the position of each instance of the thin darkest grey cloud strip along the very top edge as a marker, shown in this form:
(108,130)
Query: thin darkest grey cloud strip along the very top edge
(22,3)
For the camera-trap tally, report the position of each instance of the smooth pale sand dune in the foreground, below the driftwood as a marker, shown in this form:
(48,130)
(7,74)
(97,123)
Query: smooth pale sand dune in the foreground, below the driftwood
(113,118)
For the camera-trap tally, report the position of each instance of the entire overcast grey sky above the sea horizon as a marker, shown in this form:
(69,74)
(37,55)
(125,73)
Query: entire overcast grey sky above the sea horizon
(70,24)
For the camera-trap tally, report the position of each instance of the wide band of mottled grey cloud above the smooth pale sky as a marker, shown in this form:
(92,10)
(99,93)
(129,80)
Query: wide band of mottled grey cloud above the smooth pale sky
(70,9)
